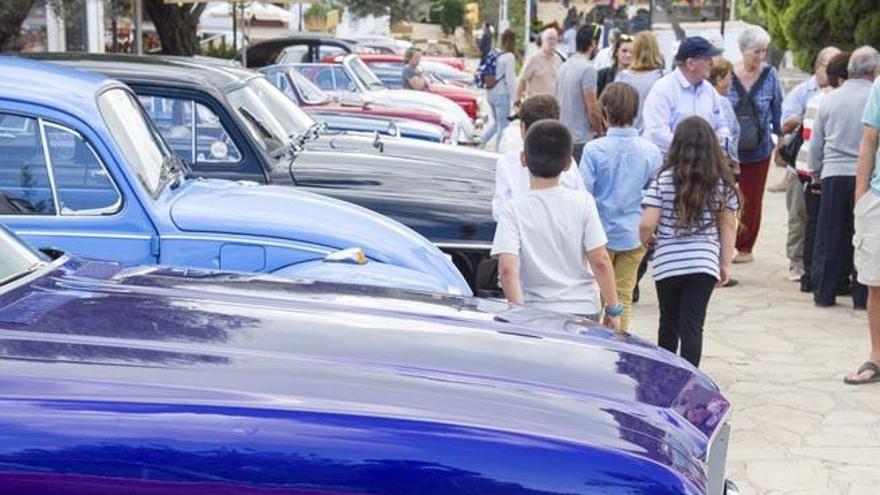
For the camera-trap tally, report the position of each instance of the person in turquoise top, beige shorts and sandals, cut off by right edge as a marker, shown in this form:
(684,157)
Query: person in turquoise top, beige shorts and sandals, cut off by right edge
(867,231)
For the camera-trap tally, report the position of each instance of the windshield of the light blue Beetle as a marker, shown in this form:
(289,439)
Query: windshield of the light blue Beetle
(144,149)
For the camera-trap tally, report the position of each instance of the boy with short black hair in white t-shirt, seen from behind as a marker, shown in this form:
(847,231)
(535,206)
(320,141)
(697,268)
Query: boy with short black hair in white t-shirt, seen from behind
(549,241)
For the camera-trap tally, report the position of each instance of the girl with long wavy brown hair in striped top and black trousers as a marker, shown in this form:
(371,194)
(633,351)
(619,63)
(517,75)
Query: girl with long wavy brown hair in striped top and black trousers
(690,218)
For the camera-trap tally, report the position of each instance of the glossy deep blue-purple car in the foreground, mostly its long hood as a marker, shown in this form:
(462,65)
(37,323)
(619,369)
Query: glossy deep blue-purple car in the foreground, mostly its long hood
(161,381)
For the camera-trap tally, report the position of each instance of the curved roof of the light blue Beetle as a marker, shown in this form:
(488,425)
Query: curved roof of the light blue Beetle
(61,88)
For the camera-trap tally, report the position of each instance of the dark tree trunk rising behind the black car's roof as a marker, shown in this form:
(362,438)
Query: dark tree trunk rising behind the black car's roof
(176,26)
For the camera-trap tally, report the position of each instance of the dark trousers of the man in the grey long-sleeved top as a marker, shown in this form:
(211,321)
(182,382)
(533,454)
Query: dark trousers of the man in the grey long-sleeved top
(832,263)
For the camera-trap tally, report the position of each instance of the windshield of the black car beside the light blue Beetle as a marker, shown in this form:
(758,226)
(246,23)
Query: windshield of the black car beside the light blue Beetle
(269,115)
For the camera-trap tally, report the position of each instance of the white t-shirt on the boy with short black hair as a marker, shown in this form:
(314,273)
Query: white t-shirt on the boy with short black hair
(550,230)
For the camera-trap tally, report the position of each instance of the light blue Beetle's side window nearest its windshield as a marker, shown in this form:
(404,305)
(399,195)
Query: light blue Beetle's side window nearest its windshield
(82,184)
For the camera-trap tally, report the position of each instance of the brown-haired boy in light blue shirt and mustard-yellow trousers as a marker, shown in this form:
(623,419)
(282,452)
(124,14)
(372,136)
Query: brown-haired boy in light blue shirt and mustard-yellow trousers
(616,169)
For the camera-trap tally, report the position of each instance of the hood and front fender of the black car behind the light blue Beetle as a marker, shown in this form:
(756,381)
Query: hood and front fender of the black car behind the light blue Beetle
(443,192)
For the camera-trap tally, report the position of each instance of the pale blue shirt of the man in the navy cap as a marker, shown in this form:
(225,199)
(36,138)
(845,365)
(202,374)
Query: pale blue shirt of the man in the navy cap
(673,99)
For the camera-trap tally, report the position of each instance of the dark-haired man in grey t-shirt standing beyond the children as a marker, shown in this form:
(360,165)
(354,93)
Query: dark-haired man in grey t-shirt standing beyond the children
(576,91)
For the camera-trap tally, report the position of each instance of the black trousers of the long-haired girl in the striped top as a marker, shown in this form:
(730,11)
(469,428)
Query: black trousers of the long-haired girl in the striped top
(683,303)
